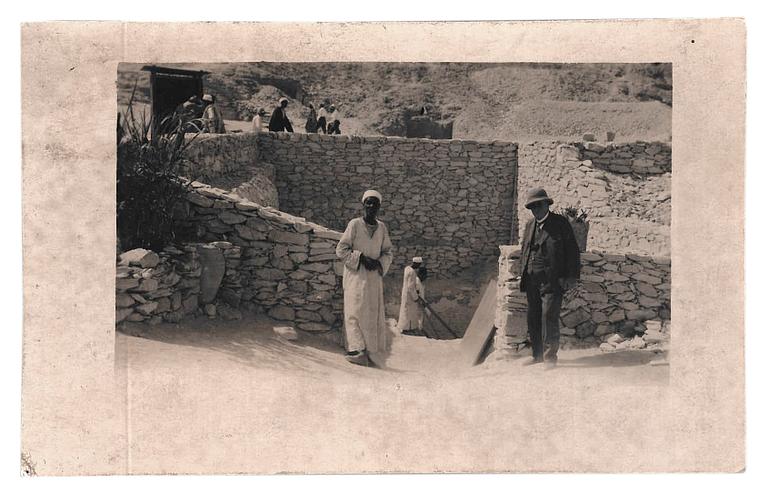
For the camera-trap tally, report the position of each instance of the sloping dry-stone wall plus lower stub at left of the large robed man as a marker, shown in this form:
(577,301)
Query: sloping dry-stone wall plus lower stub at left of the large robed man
(275,263)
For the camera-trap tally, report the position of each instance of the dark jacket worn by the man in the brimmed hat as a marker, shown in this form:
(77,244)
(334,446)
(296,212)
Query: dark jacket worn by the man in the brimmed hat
(557,246)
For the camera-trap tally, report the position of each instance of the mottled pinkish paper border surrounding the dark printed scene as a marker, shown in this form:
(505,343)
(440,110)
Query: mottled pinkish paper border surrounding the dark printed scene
(85,413)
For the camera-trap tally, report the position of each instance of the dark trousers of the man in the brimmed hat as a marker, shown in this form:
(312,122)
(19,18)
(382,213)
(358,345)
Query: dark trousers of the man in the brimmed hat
(544,303)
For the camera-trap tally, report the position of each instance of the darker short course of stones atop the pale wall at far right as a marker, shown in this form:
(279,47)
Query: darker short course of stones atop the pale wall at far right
(645,158)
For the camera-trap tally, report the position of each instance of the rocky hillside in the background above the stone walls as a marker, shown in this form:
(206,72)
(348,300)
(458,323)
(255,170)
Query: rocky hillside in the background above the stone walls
(518,102)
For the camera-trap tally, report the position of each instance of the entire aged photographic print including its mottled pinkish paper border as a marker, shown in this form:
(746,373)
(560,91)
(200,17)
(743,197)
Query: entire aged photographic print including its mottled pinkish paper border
(416,261)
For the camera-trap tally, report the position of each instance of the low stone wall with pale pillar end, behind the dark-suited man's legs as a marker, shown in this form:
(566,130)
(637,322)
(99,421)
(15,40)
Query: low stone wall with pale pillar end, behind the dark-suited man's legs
(615,293)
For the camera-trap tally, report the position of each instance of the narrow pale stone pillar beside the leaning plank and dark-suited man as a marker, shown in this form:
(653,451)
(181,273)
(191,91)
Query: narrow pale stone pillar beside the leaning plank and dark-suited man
(511,307)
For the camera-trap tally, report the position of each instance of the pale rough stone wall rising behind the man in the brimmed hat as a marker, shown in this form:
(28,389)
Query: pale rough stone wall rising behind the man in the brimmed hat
(627,212)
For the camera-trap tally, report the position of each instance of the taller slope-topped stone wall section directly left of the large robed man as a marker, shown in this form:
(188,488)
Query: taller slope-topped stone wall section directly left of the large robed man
(287,267)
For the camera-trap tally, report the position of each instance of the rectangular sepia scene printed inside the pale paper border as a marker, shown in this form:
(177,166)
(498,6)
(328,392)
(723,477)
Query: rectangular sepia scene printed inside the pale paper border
(413,217)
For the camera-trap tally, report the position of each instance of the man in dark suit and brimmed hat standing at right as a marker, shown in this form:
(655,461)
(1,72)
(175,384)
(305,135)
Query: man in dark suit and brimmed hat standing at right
(549,266)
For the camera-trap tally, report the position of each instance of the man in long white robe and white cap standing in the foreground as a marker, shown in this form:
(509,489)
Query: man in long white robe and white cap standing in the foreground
(366,250)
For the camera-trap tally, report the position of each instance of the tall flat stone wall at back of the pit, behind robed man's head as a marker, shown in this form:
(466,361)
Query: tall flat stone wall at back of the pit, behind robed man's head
(450,201)
